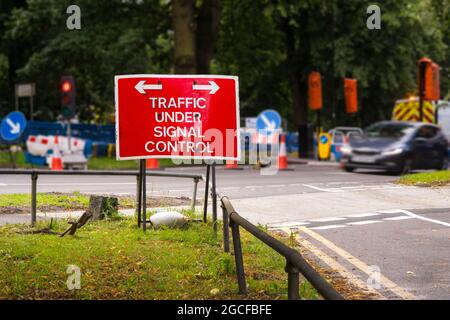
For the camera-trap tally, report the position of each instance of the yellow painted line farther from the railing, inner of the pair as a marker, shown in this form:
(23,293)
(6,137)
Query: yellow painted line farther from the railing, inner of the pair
(388,284)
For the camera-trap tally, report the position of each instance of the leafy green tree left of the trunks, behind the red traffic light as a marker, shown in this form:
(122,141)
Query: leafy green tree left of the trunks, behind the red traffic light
(116,37)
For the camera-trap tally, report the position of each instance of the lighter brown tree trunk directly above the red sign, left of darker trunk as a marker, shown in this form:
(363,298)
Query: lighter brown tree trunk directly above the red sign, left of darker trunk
(184,30)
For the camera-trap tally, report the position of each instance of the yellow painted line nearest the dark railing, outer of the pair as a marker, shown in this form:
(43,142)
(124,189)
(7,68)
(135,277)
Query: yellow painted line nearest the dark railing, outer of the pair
(333,264)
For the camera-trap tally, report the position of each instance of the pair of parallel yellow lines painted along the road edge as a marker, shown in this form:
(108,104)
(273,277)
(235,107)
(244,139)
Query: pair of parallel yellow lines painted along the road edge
(385,282)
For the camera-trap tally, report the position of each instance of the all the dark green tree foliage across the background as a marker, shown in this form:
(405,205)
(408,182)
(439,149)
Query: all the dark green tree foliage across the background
(272,45)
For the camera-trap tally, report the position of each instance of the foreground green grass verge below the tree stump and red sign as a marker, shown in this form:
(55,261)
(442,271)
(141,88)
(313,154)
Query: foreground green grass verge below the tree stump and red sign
(118,261)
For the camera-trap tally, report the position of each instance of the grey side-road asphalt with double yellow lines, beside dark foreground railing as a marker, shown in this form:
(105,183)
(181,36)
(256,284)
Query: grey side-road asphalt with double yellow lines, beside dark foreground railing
(400,254)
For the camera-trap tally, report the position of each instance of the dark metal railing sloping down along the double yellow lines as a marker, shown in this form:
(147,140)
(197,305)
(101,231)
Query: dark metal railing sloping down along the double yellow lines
(295,263)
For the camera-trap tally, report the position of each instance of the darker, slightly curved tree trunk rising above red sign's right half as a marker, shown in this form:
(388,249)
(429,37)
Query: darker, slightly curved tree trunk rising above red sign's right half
(207,28)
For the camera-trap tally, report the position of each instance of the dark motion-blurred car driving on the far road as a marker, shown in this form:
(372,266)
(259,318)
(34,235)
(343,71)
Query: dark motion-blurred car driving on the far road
(397,147)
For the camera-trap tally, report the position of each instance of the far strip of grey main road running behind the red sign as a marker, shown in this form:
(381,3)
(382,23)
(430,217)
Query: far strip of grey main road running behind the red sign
(237,184)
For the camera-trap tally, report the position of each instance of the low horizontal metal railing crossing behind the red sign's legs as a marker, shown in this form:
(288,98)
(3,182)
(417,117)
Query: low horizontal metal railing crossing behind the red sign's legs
(34,173)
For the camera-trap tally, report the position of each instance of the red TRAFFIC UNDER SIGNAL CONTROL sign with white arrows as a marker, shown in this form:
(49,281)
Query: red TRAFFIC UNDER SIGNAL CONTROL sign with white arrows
(177,117)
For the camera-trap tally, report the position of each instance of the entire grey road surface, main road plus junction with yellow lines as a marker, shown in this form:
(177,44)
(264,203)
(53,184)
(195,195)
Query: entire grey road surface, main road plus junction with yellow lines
(388,239)
